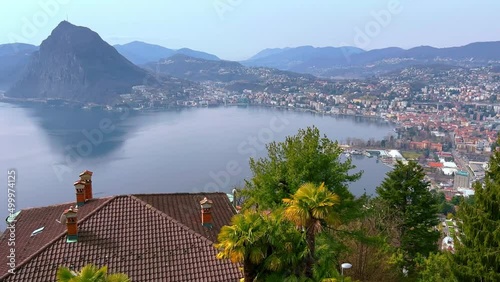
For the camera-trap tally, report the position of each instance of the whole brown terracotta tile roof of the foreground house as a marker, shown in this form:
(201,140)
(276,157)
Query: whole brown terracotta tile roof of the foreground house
(129,235)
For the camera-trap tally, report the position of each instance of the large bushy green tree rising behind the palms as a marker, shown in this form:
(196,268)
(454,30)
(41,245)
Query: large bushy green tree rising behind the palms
(305,157)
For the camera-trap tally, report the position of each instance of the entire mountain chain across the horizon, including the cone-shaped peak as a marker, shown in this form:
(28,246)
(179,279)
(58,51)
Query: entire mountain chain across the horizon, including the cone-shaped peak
(74,63)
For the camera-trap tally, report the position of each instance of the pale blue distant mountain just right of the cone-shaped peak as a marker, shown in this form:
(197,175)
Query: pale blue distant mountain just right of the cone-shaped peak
(141,53)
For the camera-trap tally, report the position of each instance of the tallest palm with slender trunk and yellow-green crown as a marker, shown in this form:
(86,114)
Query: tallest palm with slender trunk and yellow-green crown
(308,208)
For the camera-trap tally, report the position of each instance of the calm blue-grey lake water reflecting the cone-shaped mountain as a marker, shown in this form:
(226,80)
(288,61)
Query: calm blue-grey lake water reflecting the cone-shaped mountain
(188,150)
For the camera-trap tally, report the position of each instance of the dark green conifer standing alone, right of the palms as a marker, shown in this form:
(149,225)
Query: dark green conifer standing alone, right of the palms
(411,210)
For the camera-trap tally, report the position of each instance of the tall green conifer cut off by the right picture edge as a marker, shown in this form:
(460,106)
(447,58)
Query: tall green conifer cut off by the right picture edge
(477,256)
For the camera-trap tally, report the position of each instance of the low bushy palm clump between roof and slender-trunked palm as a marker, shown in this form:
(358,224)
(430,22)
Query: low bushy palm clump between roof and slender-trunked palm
(267,246)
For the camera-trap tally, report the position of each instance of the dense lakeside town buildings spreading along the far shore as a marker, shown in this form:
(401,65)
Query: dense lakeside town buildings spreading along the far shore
(445,110)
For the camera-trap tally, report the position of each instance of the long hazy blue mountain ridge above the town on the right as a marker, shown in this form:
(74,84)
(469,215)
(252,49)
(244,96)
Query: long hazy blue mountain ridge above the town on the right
(323,61)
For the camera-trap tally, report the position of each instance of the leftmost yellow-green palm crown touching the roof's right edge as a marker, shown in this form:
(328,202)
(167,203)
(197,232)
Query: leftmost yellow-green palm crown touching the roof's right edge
(244,242)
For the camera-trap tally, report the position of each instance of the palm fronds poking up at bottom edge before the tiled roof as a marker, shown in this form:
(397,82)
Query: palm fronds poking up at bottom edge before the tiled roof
(90,273)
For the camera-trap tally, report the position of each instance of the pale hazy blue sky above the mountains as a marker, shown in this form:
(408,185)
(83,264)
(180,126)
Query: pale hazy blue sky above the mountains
(237,29)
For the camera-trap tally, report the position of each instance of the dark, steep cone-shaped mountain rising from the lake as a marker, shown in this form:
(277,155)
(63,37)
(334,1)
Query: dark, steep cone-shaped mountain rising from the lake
(75,64)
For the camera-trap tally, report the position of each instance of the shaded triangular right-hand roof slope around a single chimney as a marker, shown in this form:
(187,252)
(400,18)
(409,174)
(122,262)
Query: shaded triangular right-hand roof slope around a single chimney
(185,208)
